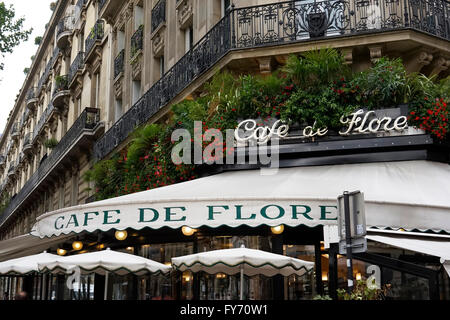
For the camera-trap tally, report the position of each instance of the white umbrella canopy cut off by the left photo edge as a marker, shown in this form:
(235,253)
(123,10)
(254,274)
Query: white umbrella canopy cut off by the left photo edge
(25,265)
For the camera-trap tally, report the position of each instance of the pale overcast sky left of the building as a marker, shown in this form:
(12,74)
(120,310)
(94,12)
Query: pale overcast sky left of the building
(37,14)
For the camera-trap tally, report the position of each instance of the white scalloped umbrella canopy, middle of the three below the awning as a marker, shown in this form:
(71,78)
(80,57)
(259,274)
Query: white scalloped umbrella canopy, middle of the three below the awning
(103,262)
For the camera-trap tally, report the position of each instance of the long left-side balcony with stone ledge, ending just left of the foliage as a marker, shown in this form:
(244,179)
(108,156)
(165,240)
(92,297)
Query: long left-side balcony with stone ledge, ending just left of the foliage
(83,132)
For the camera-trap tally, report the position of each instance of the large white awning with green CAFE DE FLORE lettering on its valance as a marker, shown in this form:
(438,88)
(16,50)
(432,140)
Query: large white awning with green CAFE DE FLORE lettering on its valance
(406,194)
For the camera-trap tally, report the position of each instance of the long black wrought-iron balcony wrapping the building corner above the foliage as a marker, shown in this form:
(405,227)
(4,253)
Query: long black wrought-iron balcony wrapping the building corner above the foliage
(279,24)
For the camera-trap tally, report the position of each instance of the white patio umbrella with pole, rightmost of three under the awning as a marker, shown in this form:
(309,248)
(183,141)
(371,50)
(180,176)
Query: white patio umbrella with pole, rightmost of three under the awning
(246,261)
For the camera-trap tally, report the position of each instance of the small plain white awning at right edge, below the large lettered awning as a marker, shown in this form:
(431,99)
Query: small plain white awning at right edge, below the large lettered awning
(437,247)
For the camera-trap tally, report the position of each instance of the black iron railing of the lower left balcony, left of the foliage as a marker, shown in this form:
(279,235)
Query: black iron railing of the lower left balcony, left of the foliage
(88,120)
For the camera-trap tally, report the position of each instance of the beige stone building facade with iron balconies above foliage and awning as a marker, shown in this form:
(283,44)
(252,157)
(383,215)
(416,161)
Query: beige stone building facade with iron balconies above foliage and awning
(104,67)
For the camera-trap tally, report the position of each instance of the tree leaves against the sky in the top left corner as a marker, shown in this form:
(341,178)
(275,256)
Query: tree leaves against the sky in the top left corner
(11,30)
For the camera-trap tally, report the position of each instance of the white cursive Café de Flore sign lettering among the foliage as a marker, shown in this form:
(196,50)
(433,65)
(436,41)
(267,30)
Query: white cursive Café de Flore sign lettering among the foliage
(358,122)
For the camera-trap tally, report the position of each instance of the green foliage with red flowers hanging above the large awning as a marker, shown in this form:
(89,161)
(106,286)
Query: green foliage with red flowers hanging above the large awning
(315,89)
